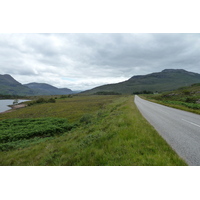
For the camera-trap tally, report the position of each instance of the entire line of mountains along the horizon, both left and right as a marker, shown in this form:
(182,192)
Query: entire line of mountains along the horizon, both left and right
(166,80)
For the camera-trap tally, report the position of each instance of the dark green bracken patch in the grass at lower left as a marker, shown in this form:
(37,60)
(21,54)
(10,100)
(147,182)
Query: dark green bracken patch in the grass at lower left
(14,131)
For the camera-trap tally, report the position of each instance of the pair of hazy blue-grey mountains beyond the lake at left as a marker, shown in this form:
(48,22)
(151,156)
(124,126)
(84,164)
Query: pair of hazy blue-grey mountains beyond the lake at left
(9,86)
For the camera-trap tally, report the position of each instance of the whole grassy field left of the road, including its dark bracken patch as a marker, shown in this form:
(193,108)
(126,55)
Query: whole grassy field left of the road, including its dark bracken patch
(93,131)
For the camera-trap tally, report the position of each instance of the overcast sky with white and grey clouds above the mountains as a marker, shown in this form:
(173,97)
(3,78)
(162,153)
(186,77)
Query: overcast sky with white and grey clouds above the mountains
(83,61)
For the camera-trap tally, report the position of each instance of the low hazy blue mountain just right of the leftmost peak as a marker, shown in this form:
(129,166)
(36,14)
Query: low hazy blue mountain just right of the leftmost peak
(46,89)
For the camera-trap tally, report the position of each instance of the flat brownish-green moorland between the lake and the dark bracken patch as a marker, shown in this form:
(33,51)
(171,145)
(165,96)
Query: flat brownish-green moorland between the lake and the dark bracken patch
(70,108)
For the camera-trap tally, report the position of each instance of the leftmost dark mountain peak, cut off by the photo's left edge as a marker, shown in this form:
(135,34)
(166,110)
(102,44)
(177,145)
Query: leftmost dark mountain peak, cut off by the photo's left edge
(9,86)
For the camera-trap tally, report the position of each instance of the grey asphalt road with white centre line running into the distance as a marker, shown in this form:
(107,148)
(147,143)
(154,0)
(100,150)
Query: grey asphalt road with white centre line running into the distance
(179,128)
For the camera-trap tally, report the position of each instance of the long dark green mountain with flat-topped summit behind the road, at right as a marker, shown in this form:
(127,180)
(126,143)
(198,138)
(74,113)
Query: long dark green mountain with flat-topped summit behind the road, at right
(168,79)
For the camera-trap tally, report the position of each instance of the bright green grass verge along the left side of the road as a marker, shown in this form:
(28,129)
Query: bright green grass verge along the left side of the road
(111,132)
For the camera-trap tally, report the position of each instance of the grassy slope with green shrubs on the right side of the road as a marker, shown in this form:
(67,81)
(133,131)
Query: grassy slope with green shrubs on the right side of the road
(184,98)
